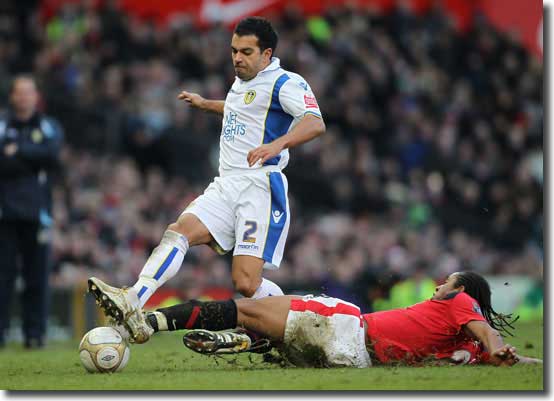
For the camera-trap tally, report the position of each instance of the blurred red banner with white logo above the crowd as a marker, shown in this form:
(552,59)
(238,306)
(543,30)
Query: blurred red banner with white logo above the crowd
(522,19)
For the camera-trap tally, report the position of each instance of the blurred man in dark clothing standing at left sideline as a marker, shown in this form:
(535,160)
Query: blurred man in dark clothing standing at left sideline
(29,147)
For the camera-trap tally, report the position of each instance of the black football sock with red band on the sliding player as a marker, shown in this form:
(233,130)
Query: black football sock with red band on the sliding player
(212,315)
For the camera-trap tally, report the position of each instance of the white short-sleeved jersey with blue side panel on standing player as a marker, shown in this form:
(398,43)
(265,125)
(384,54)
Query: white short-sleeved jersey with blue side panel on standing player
(259,111)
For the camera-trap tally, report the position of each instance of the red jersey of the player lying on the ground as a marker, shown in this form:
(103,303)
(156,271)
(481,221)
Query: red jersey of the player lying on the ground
(428,329)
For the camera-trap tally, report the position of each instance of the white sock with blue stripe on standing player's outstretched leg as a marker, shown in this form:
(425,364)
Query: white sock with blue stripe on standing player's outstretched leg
(164,263)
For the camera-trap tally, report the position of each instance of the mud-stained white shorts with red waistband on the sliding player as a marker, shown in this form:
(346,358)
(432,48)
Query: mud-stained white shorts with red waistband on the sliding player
(325,332)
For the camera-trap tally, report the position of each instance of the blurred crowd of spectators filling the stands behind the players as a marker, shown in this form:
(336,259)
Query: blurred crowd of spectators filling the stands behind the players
(432,161)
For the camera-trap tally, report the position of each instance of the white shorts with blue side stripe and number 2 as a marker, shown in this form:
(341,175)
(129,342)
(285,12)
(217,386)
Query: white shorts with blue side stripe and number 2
(247,212)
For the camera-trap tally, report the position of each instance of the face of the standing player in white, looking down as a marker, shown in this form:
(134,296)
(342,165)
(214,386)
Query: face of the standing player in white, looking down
(248,59)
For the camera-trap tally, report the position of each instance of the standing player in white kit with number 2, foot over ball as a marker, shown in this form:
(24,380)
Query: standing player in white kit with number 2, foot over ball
(266,111)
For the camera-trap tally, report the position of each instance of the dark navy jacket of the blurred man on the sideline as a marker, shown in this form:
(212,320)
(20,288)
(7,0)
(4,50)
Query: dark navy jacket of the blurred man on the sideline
(25,192)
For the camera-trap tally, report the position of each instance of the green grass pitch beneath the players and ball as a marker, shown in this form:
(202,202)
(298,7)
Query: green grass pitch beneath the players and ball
(164,364)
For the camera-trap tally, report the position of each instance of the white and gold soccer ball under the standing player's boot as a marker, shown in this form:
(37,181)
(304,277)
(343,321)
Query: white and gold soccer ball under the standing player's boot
(104,350)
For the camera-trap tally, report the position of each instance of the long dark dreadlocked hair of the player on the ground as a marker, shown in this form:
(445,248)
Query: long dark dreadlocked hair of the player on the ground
(478,288)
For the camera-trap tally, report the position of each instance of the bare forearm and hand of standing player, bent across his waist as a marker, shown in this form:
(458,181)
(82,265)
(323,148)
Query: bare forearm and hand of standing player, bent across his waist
(307,129)
